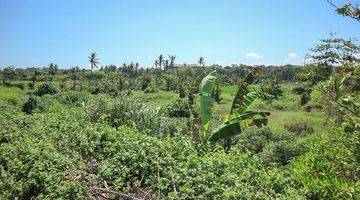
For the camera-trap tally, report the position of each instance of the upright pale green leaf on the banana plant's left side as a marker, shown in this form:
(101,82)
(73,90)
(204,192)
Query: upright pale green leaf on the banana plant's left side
(206,101)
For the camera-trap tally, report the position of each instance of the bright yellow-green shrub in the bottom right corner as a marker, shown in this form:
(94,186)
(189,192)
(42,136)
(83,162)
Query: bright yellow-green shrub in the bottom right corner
(330,170)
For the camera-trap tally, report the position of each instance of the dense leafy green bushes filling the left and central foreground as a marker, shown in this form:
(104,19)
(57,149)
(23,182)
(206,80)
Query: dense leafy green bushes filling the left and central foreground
(57,155)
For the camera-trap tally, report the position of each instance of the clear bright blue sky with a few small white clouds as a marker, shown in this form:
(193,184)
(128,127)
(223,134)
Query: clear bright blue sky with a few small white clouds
(39,32)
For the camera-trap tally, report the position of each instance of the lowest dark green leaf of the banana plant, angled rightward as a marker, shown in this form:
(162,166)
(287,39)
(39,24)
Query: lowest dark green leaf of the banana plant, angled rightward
(226,131)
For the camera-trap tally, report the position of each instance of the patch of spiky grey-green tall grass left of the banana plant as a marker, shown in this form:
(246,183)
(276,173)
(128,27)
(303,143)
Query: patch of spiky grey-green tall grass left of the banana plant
(124,111)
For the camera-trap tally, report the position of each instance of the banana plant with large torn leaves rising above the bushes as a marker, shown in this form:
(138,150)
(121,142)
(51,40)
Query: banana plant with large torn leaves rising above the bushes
(238,117)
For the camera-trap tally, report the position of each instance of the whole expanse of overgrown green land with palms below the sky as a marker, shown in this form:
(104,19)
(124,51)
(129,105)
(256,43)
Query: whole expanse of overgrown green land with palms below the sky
(184,131)
